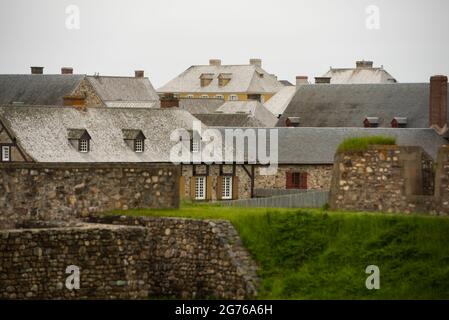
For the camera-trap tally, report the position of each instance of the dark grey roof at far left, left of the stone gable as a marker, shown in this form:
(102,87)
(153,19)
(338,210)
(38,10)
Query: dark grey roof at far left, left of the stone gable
(37,89)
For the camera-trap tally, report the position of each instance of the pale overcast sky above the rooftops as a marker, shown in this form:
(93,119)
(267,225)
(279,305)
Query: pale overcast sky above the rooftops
(164,37)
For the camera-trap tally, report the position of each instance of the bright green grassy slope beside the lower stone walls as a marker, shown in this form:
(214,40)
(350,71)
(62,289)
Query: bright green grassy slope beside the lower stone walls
(313,254)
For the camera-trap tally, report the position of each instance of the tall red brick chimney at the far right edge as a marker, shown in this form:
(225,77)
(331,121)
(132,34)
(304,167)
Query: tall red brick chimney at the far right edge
(438,103)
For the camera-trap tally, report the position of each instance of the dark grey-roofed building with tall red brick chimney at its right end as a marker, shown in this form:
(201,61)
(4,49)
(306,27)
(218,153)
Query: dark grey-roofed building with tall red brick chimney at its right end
(404,105)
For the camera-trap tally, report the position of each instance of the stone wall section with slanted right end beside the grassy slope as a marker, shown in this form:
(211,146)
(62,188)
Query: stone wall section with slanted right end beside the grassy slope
(194,259)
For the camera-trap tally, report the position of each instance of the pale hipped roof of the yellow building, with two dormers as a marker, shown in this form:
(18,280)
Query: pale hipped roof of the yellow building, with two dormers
(245,78)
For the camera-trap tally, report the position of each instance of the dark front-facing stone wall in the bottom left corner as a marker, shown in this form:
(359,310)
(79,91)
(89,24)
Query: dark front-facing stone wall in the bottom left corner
(113,262)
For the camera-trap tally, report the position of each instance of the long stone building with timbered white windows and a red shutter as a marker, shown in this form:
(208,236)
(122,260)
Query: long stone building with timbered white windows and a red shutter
(304,159)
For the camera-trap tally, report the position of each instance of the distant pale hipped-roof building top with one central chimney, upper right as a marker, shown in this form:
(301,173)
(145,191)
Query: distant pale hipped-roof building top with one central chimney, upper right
(363,73)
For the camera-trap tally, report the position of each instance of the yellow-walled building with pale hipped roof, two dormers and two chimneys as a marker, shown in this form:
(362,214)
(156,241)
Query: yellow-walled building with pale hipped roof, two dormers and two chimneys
(227,82)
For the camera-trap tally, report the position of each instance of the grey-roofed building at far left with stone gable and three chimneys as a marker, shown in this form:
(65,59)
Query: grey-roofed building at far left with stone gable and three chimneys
(77,90)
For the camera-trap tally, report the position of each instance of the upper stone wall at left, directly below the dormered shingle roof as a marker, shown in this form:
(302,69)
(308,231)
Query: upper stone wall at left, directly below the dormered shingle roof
(66,191)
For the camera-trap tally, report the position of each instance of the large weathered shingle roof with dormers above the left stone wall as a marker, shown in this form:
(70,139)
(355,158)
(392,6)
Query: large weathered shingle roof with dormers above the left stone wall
(42,133)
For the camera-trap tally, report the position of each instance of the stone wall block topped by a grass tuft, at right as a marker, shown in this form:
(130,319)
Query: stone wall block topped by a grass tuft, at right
(384,178)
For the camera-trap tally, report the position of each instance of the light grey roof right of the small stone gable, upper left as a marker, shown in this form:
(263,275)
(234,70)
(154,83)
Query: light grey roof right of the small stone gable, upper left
(123,88)
